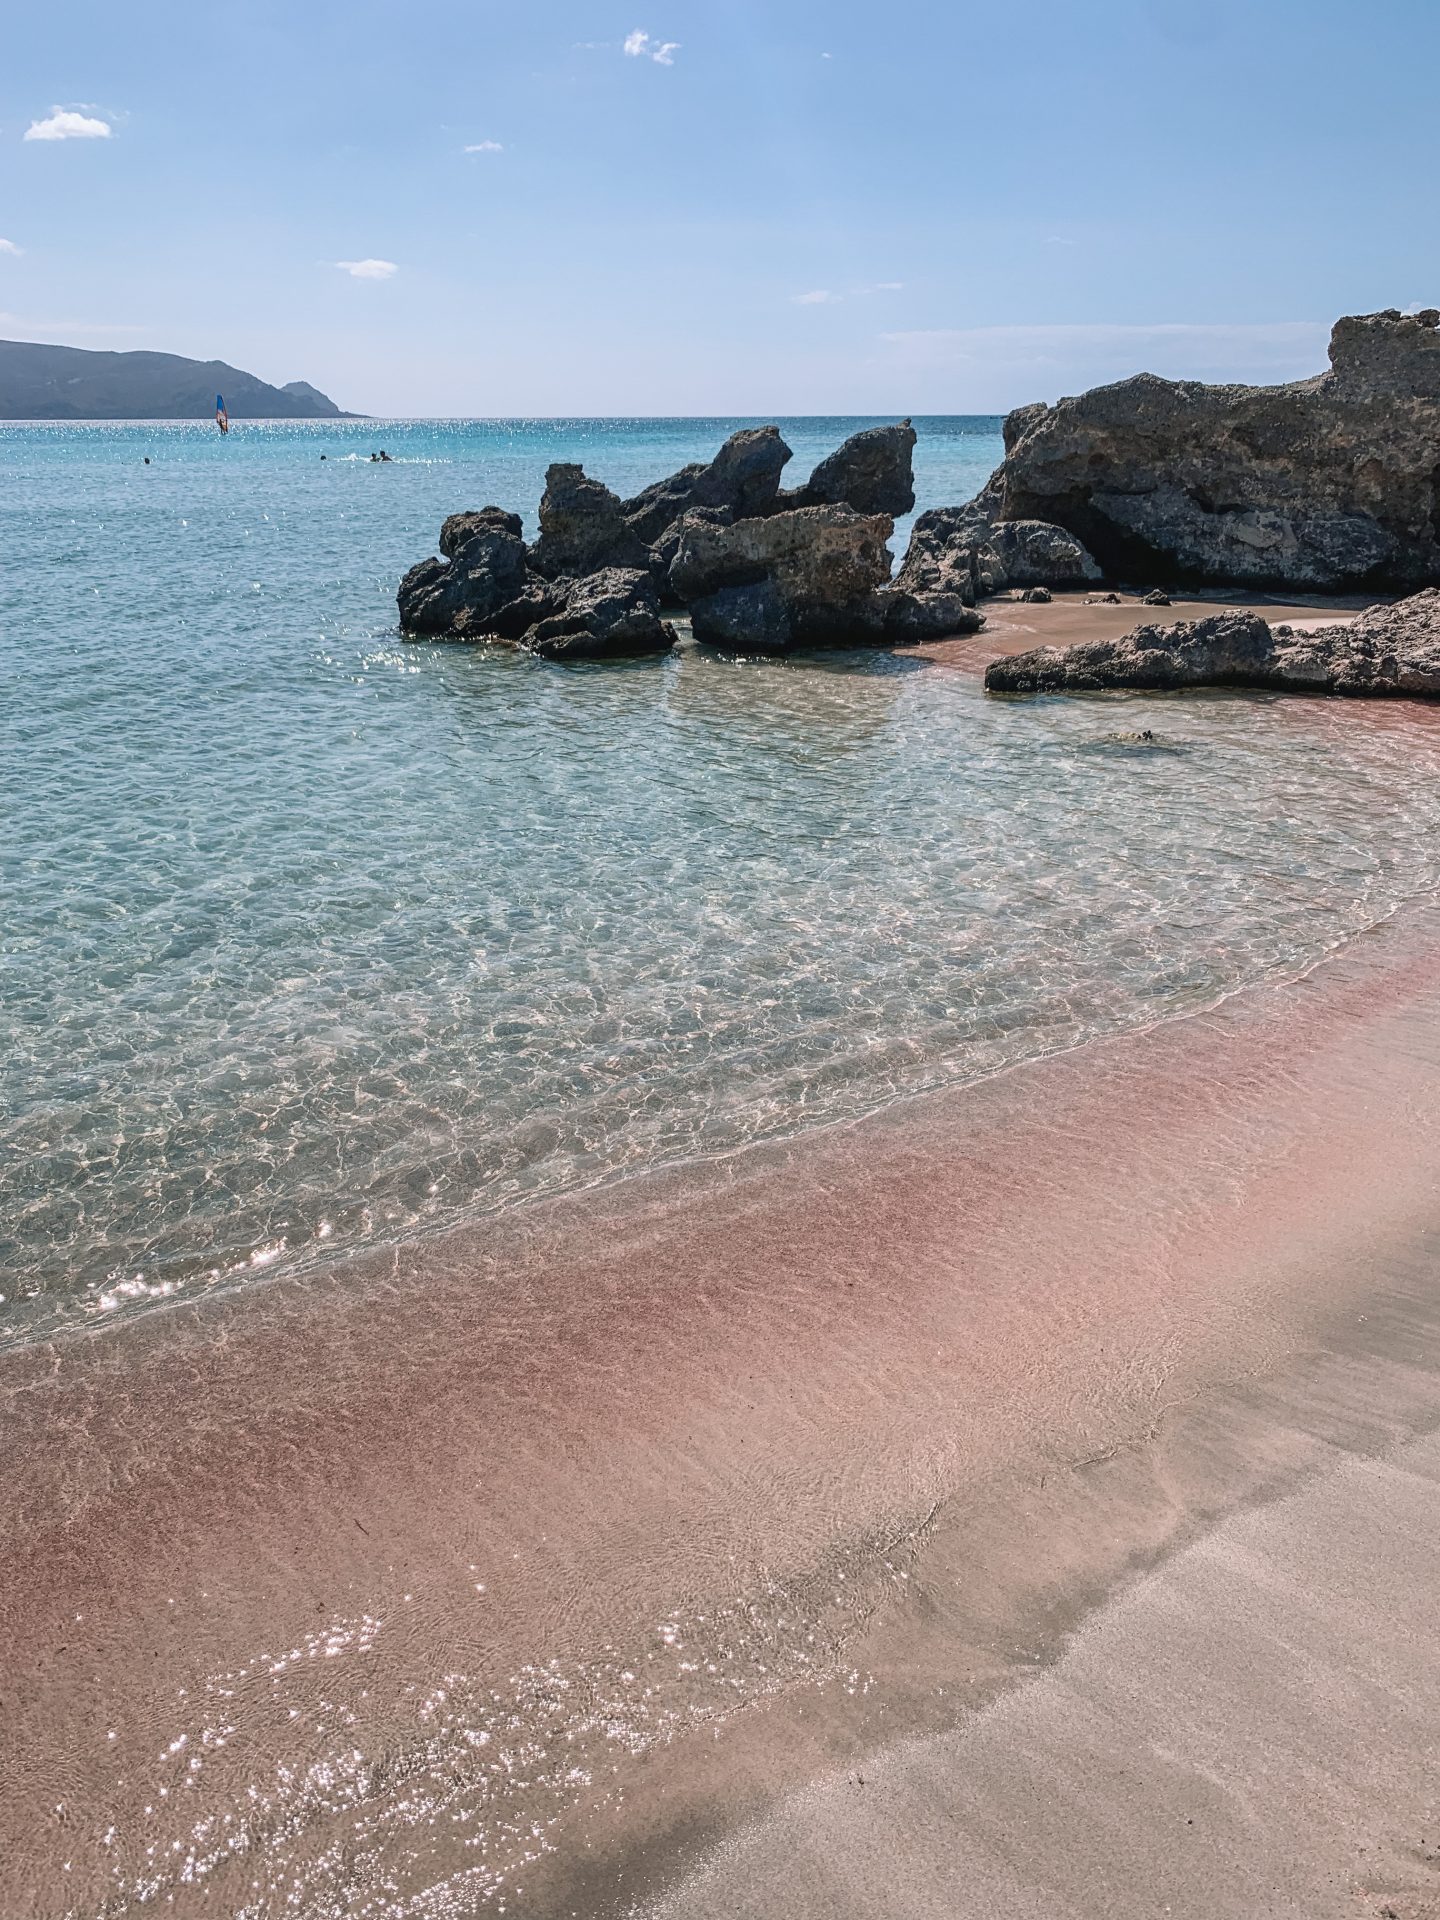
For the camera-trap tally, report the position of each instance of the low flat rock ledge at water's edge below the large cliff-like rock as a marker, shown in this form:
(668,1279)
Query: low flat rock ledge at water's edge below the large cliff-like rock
(1387,652)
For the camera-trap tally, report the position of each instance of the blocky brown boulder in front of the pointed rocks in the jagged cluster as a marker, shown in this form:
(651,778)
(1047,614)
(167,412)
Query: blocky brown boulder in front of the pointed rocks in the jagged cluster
(825,565)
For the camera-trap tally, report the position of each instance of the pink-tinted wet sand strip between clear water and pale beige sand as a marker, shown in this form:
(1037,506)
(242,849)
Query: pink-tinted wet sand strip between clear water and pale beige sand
(648,1466)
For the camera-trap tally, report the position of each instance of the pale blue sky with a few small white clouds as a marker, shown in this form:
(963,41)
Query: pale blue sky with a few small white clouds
(717,206)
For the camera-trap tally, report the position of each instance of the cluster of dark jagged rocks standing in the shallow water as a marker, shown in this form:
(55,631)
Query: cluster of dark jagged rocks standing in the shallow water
(761,571)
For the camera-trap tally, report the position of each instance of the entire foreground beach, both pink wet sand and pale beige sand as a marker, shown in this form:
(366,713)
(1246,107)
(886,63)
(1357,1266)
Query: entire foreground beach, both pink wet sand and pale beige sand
(592,1558)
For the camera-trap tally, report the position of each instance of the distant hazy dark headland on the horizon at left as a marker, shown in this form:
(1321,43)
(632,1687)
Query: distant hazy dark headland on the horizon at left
(41,383)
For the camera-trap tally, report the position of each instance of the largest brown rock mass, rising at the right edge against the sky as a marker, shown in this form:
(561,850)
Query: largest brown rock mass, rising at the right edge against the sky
(1328,485)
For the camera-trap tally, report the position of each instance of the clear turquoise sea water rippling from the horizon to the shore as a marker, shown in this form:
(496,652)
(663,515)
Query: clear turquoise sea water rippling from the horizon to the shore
(314,938)
